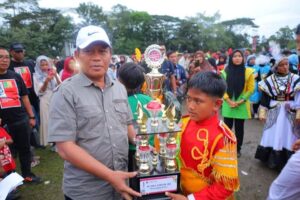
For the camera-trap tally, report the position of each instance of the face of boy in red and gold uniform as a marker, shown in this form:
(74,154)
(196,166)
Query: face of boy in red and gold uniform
(201,106)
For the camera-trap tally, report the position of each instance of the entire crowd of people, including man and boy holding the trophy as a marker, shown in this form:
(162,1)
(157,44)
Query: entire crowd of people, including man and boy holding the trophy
(85,108)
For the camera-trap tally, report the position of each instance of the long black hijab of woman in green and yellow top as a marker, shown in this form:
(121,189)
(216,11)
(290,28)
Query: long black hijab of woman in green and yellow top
(235,76)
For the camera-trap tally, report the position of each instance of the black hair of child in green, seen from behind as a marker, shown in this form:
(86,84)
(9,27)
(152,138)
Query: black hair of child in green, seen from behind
(131,75)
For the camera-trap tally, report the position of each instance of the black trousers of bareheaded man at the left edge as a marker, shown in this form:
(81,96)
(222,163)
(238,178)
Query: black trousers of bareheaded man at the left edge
(20,132)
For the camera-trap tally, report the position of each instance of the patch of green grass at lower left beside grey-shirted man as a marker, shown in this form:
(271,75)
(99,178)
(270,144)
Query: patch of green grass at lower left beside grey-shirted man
(51,171)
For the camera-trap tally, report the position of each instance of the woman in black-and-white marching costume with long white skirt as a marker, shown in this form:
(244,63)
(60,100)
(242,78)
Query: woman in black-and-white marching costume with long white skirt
(280,109)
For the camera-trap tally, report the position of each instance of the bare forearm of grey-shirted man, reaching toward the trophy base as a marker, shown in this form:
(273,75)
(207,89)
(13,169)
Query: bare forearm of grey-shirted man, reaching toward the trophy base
(74,154)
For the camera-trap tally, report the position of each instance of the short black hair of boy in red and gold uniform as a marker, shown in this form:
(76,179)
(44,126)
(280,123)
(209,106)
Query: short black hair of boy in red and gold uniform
(208,82)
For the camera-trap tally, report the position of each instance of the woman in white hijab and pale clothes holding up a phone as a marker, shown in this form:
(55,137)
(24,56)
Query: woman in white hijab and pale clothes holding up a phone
(45,80)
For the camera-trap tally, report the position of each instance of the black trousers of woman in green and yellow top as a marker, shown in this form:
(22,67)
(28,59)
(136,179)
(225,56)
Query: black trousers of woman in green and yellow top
(238,128)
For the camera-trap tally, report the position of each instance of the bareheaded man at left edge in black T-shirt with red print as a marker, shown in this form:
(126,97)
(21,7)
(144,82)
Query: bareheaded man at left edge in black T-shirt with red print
(16,112)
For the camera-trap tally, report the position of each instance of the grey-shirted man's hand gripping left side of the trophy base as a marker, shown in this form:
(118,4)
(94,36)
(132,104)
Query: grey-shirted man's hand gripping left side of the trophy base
(118,181)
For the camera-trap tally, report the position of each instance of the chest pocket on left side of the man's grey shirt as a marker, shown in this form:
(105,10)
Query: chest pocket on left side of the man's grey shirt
(90,121)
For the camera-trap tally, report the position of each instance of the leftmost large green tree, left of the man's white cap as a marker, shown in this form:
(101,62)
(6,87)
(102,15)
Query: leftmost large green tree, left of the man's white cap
(42,32)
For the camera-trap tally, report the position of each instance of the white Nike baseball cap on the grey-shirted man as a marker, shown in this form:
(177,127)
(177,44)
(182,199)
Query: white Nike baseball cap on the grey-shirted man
(90,34)
